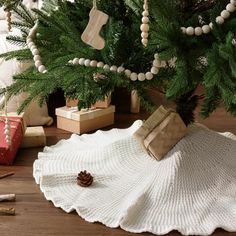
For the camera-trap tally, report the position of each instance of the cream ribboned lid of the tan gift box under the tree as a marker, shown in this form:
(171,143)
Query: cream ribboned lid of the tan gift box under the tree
(73,113)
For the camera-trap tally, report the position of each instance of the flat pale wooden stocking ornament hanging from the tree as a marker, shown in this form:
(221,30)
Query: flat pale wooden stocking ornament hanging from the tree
(91,34)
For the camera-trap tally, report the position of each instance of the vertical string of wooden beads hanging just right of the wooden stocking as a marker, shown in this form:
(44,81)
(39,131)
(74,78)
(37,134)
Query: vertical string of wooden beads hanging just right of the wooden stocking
(145,26)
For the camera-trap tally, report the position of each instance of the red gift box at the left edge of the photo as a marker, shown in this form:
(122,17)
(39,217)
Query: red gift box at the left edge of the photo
(8,152)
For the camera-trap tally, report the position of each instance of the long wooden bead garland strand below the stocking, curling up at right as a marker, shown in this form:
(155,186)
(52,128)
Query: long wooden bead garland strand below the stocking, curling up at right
(131,75)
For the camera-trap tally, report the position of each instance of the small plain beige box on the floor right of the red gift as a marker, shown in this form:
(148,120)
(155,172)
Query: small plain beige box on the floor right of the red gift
(34,137)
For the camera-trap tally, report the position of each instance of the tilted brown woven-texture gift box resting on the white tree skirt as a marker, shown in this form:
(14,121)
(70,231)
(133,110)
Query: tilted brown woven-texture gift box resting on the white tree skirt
(160,132)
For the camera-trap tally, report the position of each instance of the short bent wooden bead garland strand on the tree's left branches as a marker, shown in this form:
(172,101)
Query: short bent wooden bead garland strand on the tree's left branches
(35,52)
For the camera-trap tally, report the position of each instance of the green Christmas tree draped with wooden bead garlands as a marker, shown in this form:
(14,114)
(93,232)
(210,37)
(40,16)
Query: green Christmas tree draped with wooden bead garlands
(195,39)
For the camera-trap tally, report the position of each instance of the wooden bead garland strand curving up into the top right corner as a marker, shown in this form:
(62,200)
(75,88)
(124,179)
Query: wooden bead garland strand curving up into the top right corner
(205,29)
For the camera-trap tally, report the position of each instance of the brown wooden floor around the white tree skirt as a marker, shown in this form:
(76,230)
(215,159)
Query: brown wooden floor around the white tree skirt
(38,217)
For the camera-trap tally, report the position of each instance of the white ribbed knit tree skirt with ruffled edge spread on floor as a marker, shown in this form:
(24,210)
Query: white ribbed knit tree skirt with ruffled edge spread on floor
(192,190)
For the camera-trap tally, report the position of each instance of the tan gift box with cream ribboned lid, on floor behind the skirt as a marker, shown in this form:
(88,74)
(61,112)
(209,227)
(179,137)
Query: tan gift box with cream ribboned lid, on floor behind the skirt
(75,121)
